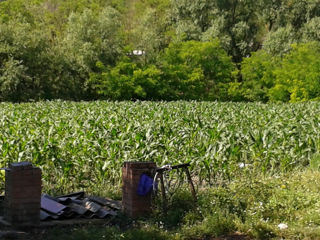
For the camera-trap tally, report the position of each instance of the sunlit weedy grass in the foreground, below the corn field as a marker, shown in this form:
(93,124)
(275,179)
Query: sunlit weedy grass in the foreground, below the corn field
(254,208)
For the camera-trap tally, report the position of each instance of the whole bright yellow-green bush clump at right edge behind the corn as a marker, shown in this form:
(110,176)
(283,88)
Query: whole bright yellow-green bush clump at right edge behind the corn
(293,77)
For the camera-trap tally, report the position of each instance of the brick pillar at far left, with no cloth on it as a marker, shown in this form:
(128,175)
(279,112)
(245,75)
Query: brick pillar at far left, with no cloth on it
(22,194)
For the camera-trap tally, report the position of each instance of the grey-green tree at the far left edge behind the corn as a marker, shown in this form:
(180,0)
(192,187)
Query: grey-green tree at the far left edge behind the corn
(23,61)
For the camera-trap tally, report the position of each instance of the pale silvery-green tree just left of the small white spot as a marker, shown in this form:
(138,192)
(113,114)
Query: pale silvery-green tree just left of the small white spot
(89,38)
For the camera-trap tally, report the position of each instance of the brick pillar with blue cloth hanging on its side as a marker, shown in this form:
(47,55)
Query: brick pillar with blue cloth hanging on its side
(134,205)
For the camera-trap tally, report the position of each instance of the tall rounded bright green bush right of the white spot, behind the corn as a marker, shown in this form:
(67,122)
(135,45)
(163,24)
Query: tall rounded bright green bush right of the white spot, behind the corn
(197,70)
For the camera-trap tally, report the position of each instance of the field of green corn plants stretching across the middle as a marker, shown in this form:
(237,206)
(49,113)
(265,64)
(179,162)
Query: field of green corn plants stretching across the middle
(80,145)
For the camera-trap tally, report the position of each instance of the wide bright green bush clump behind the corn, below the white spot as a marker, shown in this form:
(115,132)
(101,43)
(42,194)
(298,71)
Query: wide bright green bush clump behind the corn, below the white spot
(187,70)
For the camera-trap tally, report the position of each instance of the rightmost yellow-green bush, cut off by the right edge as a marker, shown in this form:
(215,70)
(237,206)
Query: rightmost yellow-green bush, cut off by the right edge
(298,76)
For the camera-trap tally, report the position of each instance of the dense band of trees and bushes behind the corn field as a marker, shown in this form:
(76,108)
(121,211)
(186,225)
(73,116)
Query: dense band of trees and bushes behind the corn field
(83,50)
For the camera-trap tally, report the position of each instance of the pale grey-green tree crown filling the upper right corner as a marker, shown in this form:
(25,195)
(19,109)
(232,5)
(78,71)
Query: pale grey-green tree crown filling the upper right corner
(289,21)
